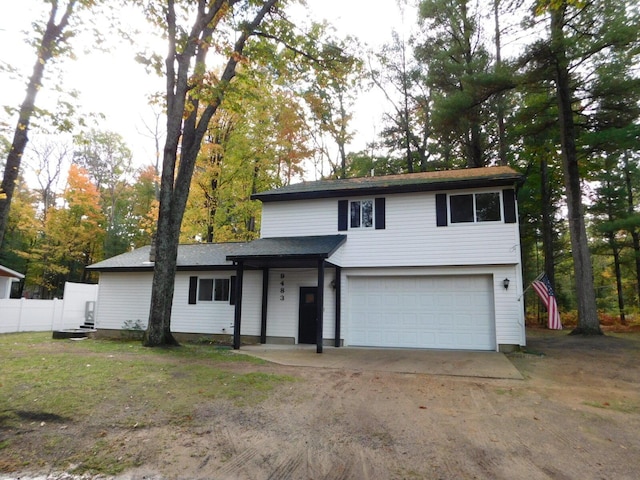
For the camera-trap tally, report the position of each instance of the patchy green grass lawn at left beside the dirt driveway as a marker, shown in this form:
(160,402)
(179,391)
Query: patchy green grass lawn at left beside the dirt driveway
(80,385)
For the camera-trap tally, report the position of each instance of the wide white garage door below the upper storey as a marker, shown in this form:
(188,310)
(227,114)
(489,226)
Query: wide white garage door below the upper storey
(448,312)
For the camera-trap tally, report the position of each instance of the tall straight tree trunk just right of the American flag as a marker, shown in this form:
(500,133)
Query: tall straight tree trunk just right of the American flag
(588,322)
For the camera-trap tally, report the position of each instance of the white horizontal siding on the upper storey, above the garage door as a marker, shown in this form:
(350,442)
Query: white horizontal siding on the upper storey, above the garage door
(411,237)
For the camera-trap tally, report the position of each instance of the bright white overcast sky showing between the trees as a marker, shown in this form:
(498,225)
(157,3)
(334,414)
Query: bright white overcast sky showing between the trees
(115,85)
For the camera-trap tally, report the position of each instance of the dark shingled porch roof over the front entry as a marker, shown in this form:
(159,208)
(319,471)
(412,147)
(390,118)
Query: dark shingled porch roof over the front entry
(287,251)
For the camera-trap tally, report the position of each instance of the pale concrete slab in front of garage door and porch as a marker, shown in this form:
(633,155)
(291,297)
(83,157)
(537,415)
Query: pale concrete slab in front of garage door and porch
(431,362)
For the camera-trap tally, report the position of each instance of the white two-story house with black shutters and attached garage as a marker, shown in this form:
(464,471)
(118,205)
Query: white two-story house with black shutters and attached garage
(423,260)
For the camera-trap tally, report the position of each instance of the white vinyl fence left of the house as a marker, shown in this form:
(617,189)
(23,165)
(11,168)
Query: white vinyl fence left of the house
(29,315)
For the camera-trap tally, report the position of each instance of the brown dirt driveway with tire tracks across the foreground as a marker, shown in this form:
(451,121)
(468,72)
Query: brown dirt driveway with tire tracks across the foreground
(576,415)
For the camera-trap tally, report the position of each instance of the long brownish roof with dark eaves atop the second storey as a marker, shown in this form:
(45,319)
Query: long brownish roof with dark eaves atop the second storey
(410,182)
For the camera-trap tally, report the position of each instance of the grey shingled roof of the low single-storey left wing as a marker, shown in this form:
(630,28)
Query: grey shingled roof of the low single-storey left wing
(202,256)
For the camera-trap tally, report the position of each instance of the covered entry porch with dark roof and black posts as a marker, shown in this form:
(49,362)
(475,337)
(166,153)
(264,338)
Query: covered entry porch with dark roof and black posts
(312,252)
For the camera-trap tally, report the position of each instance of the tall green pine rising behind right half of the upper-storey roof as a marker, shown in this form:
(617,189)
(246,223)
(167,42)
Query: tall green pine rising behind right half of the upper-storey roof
(460,77)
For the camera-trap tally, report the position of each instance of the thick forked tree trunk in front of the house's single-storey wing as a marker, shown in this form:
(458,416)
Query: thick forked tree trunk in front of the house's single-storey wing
(188,134)
